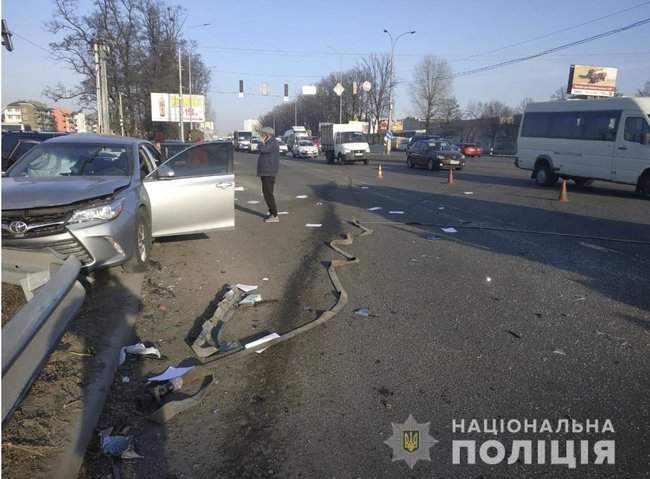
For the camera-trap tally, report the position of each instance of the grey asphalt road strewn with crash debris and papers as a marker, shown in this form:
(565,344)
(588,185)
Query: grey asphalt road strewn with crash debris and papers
(486,323)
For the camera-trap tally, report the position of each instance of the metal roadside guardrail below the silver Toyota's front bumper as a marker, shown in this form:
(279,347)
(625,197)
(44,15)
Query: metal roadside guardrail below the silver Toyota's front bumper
(31,335)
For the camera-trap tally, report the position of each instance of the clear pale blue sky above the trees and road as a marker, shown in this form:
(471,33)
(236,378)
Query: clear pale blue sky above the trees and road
(309,34)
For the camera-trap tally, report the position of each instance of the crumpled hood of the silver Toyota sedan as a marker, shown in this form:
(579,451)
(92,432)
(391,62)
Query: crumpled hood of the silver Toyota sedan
(22,193)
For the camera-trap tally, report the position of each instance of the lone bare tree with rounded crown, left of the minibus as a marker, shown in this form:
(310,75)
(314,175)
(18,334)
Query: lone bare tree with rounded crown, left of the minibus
(431,87)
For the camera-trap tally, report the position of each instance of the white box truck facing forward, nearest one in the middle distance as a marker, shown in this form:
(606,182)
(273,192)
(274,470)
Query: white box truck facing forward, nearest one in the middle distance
(343,143)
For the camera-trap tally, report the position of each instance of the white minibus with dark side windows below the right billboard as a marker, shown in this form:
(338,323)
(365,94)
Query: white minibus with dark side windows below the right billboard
(586,140)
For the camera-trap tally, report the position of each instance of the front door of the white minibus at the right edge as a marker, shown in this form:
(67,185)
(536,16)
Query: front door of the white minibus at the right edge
(632,154)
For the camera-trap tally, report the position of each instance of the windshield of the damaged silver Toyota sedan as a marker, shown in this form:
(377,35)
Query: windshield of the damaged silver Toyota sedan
(51,160)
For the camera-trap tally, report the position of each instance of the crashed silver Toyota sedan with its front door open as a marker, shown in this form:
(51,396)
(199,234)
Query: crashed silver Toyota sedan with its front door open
(101,199)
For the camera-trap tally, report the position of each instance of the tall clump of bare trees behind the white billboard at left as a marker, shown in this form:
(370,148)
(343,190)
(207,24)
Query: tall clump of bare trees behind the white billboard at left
(143,37)
